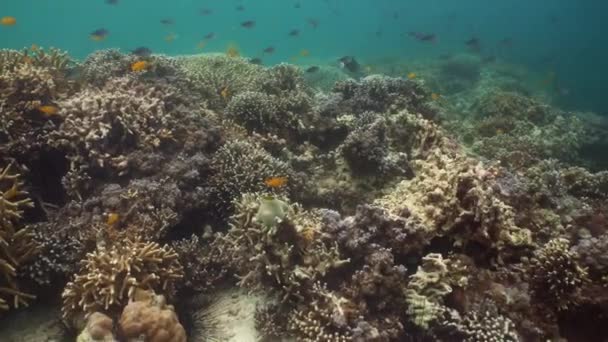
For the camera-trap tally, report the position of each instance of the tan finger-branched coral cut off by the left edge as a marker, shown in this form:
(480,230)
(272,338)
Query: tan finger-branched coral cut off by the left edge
(16,245)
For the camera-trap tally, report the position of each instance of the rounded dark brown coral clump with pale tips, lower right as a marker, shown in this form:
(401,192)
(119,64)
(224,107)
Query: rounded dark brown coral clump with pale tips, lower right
(555,275)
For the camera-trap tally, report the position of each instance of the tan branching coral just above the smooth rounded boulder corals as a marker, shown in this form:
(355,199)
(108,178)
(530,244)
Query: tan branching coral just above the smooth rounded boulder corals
(110,276)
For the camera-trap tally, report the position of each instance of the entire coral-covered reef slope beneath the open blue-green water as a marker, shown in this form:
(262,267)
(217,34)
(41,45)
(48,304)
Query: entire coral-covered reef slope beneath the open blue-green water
(372,210)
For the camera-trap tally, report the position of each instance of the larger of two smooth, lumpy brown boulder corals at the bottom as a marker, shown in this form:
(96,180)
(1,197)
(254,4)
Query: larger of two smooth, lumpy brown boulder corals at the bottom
(151,319)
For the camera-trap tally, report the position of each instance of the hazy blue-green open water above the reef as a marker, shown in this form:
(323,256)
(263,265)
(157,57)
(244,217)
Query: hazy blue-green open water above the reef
(562,36)
